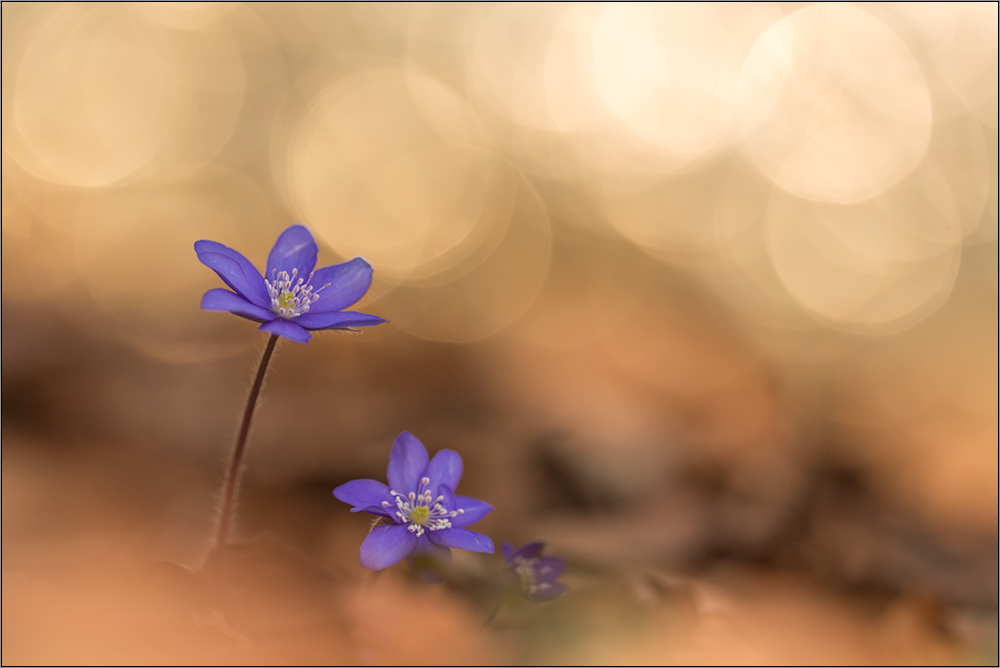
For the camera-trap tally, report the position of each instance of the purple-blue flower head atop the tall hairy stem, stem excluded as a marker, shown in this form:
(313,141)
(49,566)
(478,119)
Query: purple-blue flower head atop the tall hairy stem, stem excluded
(292,297)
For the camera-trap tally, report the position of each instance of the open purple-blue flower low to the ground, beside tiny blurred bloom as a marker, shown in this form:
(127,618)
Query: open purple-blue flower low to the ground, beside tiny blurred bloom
(427,517)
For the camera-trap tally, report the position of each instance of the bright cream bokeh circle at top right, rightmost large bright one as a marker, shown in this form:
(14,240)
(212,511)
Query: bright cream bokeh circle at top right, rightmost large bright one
(833,106)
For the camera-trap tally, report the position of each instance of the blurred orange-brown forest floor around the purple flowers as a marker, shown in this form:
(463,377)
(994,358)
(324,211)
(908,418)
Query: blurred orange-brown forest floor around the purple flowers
(685,544)
